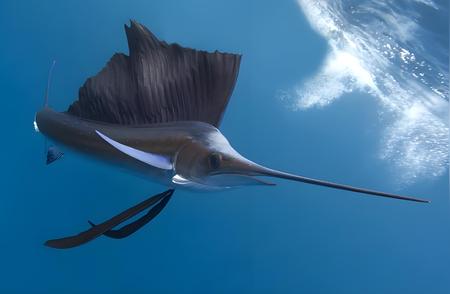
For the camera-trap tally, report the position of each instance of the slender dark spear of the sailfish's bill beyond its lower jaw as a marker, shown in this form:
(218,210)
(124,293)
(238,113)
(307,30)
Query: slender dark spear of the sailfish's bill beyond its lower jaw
(297,178)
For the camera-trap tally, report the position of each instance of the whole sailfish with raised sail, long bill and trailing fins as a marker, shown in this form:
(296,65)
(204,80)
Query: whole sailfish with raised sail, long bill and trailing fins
(157,111)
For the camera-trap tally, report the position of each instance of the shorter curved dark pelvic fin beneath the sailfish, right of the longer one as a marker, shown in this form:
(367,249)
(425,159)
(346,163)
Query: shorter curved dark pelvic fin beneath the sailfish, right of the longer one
(131,228)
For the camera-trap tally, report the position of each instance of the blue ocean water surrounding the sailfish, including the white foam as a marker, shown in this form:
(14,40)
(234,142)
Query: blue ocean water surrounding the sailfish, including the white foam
(291,238)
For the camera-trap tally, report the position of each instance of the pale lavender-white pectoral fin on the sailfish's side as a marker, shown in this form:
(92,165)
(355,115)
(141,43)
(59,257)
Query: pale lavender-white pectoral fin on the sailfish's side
(156,160)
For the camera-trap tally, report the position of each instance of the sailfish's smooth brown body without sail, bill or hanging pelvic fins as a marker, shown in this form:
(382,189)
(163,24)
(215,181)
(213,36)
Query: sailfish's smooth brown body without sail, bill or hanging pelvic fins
(162,152)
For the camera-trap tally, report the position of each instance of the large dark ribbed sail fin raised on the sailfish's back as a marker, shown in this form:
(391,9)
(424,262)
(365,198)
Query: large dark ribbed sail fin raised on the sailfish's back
(158,82)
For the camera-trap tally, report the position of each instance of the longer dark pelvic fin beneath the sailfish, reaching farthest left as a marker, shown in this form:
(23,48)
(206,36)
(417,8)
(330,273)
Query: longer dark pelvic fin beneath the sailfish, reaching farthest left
(98,230)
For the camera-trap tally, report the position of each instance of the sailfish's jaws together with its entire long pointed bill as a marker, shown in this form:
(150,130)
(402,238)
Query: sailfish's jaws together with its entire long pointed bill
(248,170)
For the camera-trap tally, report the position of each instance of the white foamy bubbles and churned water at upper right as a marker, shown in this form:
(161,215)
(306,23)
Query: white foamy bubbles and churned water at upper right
(381,48)
